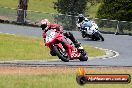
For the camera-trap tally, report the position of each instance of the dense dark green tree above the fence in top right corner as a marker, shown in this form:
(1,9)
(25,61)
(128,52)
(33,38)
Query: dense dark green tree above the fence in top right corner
(116,9)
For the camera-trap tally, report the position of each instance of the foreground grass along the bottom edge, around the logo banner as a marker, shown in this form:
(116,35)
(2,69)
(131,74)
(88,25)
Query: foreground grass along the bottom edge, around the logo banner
(57,80)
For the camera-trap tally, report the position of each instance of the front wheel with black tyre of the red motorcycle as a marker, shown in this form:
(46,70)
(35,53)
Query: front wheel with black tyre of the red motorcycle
(61,54)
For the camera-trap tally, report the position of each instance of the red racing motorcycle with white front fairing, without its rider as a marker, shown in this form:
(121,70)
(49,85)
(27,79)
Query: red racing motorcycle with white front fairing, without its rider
(65,51)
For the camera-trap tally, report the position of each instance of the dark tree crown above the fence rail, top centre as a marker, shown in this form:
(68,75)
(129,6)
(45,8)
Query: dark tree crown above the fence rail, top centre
(71,7)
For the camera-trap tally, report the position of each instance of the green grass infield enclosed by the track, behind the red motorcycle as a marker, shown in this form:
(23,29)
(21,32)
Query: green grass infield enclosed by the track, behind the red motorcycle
(14,47)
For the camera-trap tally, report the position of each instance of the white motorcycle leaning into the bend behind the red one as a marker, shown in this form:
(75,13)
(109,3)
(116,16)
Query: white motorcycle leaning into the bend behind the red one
(91,32)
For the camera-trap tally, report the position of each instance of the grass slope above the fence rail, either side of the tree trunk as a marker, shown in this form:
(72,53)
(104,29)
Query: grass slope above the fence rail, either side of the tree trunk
(35,5)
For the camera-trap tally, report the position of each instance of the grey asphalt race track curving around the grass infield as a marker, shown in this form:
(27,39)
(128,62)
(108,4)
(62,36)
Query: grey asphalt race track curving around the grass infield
(119,43)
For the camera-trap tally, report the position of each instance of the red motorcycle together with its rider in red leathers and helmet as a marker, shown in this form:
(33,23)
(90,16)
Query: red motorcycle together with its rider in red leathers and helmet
(58,43)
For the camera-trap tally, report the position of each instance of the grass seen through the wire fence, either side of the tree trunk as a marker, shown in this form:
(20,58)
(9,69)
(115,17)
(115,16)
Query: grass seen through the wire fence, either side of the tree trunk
(11,14)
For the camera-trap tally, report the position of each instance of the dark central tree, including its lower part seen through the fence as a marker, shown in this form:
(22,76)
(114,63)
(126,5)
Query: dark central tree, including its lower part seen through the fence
(69,7)
